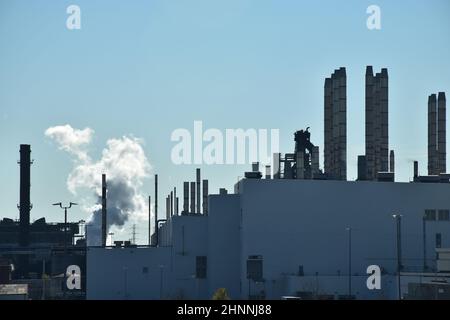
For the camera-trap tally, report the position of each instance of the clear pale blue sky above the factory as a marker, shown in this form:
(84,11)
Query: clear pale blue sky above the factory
(145,68)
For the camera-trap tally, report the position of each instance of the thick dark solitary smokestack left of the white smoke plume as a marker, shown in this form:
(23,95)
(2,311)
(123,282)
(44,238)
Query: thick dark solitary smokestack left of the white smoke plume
(25,204)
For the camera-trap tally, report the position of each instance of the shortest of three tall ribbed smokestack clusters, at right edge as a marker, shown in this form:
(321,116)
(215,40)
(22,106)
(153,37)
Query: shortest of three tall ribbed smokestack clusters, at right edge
(437,154)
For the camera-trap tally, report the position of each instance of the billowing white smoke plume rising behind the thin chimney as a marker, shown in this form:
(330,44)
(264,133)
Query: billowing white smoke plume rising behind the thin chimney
(123,161)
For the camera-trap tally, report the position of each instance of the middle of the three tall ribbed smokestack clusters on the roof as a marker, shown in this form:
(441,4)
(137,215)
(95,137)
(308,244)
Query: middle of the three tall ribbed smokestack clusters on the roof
(377,124)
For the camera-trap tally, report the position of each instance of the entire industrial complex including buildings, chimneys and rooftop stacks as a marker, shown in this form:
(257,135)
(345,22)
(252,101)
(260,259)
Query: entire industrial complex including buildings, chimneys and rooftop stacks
(289,229)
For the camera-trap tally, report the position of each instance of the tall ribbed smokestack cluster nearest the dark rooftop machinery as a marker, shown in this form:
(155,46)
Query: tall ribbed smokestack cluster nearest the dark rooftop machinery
(335,112)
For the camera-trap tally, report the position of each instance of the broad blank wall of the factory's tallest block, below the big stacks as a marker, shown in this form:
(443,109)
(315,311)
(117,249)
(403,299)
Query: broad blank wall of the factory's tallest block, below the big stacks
(294,223)
